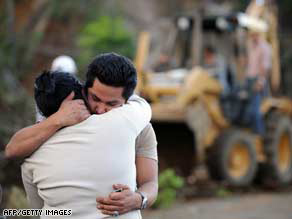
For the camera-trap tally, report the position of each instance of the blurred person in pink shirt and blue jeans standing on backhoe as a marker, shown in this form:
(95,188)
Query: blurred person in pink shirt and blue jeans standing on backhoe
(258,67)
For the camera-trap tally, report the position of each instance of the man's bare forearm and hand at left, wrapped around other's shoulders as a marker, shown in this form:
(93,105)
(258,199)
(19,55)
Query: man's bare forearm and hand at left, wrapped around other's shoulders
(27,140)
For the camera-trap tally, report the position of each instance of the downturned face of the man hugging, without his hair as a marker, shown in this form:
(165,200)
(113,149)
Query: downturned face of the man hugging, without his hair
(102,98)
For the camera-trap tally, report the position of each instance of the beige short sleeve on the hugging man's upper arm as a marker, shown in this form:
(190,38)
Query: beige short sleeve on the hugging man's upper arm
(146,143)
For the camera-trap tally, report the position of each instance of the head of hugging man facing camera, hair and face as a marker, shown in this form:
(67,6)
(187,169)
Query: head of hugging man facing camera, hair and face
(111,70)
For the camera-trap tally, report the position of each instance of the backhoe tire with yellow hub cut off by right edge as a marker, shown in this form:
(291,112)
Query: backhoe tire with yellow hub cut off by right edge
(277,170)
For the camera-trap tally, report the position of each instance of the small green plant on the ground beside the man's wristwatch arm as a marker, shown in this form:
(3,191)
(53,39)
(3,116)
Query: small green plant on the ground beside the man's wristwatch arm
(169,183)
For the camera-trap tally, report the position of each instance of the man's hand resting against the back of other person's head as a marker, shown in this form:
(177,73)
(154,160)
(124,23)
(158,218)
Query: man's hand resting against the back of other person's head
(71,111)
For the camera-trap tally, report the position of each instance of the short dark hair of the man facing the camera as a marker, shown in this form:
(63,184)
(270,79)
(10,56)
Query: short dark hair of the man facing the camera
(113,70)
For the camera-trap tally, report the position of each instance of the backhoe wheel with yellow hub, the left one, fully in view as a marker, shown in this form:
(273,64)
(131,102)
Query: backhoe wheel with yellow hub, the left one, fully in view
(233,158)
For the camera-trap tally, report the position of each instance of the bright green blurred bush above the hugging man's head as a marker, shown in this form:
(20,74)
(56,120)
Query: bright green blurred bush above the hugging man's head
(107,34)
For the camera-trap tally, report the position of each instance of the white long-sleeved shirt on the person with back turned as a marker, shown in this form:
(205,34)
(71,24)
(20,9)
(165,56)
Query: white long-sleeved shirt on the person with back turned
(82,162)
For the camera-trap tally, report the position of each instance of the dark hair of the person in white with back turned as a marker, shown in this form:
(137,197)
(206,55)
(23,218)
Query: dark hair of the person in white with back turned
(52,87)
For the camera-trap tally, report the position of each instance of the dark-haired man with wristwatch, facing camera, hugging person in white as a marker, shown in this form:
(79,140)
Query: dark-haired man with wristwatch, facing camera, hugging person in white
(104,94)
